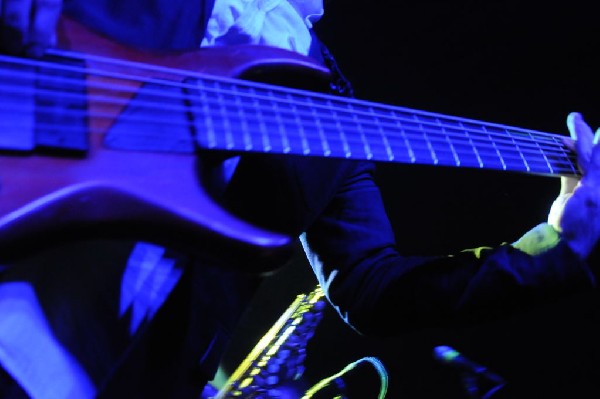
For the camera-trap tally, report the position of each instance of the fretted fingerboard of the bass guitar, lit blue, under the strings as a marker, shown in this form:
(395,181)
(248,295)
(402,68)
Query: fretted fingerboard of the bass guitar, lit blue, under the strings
(281,120)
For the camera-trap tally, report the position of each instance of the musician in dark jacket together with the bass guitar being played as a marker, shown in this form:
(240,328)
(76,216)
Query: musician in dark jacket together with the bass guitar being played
(156,165)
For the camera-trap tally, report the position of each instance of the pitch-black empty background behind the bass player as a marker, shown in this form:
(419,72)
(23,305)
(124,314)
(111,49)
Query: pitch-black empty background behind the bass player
(511,62)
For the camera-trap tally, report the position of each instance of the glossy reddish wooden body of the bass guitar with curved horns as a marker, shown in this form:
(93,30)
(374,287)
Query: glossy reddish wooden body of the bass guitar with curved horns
(153,195)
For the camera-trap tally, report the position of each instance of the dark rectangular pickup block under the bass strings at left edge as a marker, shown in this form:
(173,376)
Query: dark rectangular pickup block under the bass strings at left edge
(43,105)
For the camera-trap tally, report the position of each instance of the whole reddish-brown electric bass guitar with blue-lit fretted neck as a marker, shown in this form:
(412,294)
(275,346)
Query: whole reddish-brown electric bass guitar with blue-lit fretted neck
(99,138)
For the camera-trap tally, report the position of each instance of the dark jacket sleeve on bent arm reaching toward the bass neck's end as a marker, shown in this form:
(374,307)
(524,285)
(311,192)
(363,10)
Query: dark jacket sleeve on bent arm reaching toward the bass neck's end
(375,289)
